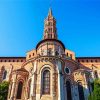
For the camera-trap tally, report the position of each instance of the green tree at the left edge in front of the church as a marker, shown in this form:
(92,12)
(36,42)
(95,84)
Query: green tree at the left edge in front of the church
(4,90)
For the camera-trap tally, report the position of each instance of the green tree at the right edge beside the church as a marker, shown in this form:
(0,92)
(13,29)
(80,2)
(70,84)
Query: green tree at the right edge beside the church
(95,95)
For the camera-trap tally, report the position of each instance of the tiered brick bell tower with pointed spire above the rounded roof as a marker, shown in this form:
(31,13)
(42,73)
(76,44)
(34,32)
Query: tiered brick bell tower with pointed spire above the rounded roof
(50,27)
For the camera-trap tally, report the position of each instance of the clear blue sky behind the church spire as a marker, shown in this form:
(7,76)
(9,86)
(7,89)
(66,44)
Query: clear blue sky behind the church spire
(22,22)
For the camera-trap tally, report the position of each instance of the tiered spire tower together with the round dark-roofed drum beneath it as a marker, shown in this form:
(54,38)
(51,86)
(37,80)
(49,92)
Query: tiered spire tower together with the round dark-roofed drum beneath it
(50,45)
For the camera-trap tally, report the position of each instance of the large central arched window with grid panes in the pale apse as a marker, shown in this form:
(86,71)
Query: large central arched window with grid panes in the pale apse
(46,82)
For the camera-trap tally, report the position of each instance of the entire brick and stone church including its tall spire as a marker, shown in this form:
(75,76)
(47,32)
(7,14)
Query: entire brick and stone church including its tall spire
(50,71)
